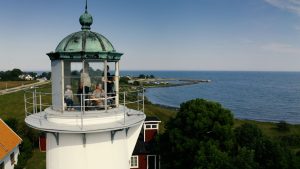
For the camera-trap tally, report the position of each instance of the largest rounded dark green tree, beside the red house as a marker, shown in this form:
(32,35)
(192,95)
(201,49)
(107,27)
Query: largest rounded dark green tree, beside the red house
(201,130)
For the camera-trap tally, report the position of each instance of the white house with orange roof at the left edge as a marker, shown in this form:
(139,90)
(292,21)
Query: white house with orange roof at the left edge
(9,146)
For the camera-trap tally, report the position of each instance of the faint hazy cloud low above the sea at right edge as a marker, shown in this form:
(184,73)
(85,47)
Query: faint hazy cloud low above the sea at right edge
(281,48)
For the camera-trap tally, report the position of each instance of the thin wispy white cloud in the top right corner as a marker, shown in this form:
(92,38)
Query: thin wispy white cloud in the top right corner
(289,5)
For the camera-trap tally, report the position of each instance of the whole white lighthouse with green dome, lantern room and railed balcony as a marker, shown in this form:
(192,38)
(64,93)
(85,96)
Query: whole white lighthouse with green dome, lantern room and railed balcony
(86,118)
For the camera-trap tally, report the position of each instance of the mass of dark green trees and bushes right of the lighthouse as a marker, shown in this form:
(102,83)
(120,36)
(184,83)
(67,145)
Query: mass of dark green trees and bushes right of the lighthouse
(205,131)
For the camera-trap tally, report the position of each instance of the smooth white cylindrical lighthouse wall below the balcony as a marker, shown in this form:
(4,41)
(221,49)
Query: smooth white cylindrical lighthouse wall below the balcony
(98,152)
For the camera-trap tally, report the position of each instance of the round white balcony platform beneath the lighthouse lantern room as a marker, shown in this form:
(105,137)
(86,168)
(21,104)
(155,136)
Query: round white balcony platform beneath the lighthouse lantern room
(85,122)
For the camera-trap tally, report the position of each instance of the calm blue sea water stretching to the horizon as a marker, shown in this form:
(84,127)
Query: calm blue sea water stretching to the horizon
(263,96)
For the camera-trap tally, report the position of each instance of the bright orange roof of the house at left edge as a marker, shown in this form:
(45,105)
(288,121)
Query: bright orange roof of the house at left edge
(8,139)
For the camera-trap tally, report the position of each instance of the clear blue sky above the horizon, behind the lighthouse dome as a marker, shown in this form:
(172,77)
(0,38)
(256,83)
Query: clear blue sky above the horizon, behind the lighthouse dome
(226,35)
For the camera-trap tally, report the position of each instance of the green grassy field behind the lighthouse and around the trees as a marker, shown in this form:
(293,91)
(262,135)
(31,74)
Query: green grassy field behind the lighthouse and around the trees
(12,105)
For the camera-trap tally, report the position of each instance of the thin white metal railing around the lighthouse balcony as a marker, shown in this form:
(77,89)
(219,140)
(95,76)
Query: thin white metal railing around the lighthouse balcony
(37,101)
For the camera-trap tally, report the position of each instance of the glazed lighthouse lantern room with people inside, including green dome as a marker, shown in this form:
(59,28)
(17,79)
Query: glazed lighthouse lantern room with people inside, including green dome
(84,63)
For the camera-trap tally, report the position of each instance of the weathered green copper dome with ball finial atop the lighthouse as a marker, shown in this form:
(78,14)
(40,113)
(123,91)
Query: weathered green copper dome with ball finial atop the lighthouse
(85,44)
